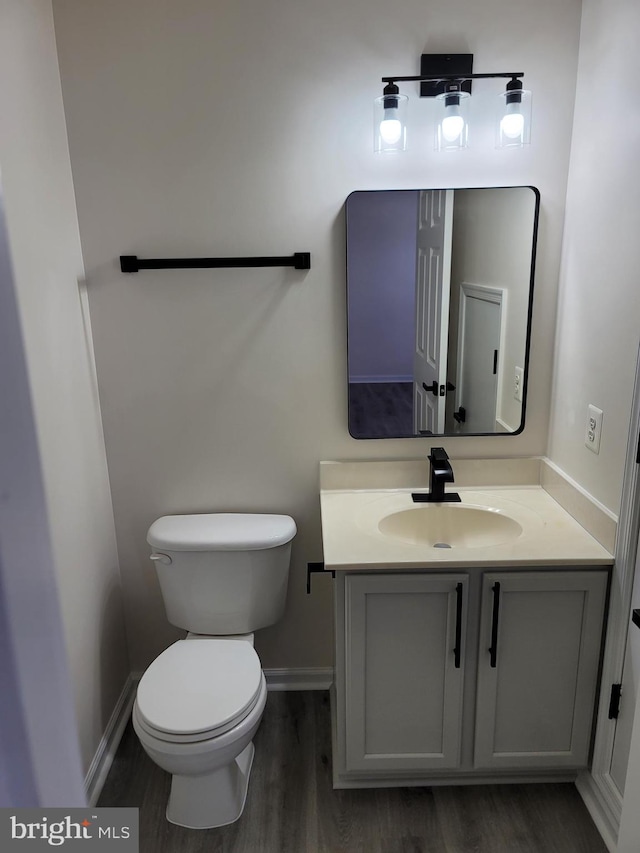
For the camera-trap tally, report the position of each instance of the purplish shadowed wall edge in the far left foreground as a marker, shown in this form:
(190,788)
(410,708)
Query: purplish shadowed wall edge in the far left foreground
(39,751)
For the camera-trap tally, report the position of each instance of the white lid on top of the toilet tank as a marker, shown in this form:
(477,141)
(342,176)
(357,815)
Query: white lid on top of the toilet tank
(221,531)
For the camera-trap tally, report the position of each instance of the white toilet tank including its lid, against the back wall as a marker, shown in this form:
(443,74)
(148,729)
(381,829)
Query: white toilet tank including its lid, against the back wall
(222,573)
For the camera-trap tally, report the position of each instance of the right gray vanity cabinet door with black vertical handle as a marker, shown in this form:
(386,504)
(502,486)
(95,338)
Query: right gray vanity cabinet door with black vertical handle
(540,639)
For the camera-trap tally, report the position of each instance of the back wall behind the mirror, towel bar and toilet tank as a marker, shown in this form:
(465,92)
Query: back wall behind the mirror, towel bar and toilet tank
(209,128)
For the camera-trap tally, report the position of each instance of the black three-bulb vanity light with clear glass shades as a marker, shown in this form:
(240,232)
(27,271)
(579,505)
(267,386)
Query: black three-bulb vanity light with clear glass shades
(447,77)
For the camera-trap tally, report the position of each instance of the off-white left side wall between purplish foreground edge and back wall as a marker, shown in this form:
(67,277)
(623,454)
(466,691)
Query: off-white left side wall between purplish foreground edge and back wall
(47,261)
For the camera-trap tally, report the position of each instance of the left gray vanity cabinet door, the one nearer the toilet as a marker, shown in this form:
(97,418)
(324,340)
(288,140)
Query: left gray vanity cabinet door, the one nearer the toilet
(403,675)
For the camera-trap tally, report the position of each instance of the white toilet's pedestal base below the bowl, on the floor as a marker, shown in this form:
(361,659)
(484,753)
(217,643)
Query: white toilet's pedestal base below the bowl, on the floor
(215,799)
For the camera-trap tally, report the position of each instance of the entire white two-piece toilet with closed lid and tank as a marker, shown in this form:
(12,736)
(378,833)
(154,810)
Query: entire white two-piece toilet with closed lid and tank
(199,704)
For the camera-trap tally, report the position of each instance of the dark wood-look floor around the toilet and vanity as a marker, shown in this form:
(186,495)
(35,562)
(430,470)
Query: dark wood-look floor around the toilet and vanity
(292,807)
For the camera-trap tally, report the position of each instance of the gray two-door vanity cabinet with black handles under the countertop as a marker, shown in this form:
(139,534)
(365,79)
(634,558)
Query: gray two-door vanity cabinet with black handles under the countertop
(465,674)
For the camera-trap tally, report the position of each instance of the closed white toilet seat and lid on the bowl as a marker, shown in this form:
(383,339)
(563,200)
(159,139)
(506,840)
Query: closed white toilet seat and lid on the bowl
(198,689)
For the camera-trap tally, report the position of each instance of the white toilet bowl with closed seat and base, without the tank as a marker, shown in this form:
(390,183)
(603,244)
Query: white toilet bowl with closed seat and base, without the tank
(196,712)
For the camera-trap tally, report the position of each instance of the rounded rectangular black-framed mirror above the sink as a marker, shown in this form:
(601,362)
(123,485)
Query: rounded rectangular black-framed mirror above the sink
(439,295)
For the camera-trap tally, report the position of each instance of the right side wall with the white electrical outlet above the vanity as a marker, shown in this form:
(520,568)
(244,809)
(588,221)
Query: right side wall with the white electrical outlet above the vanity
(599,304)
